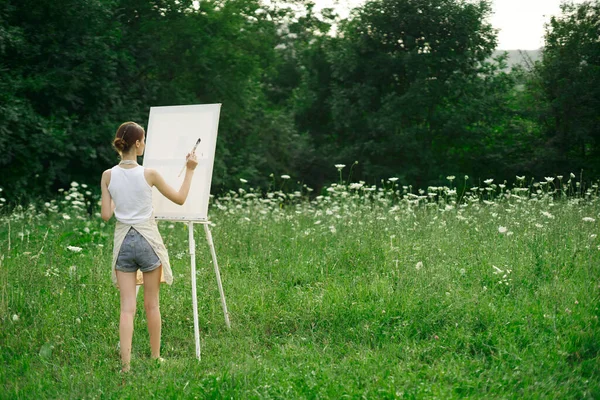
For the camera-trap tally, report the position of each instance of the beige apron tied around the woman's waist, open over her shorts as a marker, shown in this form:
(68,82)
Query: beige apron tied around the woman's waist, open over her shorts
(149,230)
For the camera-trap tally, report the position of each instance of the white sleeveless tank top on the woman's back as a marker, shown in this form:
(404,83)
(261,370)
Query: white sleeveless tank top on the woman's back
(131,193)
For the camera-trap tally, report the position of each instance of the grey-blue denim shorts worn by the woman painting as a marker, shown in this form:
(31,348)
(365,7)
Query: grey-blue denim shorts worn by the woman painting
(136,253)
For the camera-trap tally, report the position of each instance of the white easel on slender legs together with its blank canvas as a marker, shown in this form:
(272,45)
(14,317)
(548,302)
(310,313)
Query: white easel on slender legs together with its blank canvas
(172,131)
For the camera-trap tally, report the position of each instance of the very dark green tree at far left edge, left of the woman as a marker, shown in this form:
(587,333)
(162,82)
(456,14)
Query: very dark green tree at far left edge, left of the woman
(57,75)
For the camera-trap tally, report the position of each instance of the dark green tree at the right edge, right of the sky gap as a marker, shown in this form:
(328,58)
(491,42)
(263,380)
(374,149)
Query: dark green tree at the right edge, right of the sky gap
(569,78)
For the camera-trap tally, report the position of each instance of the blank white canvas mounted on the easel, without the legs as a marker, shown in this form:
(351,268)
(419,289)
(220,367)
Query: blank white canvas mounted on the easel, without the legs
(172,133)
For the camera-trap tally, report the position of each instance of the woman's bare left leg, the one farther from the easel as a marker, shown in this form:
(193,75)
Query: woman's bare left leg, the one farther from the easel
(126,282)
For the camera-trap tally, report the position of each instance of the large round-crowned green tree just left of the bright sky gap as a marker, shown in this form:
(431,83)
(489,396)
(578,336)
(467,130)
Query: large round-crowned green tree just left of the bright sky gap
(390,71)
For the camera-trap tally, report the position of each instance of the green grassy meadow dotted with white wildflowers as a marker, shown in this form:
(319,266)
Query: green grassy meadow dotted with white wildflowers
(362,292)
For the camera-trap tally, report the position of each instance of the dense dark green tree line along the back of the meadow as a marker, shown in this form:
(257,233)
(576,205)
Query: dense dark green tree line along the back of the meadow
(407,88)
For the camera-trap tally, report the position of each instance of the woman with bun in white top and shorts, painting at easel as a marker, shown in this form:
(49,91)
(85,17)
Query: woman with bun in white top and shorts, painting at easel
(139,255)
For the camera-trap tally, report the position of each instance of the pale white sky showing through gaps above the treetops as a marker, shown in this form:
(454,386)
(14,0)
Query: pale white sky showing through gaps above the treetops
(521,22)
